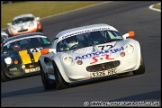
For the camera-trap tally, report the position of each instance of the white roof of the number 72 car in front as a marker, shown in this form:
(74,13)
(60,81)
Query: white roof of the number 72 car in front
(84,29)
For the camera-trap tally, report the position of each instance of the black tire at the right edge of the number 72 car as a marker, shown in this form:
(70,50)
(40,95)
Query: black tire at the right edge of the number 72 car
(141,69)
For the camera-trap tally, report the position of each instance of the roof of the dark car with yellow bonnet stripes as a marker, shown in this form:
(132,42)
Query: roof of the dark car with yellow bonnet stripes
(23,35)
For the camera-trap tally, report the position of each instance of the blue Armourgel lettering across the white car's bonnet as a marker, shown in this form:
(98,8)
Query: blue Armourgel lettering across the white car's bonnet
(94,54)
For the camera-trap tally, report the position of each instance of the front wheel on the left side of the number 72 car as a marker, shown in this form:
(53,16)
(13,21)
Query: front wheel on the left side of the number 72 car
(60,83)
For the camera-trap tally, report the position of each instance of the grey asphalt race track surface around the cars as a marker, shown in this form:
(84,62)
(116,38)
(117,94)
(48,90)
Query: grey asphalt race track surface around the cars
(124,16)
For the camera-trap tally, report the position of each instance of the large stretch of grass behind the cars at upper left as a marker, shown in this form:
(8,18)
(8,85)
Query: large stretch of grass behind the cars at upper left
(40,8)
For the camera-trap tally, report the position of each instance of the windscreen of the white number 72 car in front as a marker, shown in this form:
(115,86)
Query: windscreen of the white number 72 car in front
(88,39)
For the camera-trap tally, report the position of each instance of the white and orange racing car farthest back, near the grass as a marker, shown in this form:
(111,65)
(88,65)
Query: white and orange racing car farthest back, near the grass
(25,23)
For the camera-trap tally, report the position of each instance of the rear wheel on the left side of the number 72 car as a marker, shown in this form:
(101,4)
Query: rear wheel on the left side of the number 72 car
(47,85)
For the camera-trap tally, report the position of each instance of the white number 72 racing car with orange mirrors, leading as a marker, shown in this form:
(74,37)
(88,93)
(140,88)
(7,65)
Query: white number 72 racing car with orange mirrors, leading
(89,52)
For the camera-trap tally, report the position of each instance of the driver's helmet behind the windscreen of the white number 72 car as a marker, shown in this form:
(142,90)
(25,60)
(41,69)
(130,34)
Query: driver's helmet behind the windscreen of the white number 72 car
(71,41)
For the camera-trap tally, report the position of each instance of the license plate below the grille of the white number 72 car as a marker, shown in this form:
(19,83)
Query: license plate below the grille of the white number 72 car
(103,73)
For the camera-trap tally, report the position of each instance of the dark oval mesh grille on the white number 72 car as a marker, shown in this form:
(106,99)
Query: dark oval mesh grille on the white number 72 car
(103,66)
